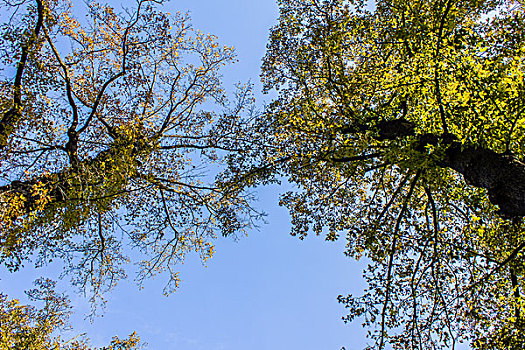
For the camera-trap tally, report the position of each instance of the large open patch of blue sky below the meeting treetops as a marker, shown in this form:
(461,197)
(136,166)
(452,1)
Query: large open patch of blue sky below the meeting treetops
(266,291)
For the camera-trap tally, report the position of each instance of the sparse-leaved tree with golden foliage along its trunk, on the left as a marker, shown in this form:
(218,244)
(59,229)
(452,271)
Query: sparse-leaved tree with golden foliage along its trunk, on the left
(105,142)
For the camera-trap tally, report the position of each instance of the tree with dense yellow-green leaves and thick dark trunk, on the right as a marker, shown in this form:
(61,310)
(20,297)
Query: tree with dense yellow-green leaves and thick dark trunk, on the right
(402,127)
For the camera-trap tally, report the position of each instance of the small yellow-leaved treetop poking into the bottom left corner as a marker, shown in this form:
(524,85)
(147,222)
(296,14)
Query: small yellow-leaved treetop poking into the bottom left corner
(24,327)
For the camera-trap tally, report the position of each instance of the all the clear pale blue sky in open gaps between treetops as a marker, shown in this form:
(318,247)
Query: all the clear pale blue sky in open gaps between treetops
(266,291)
